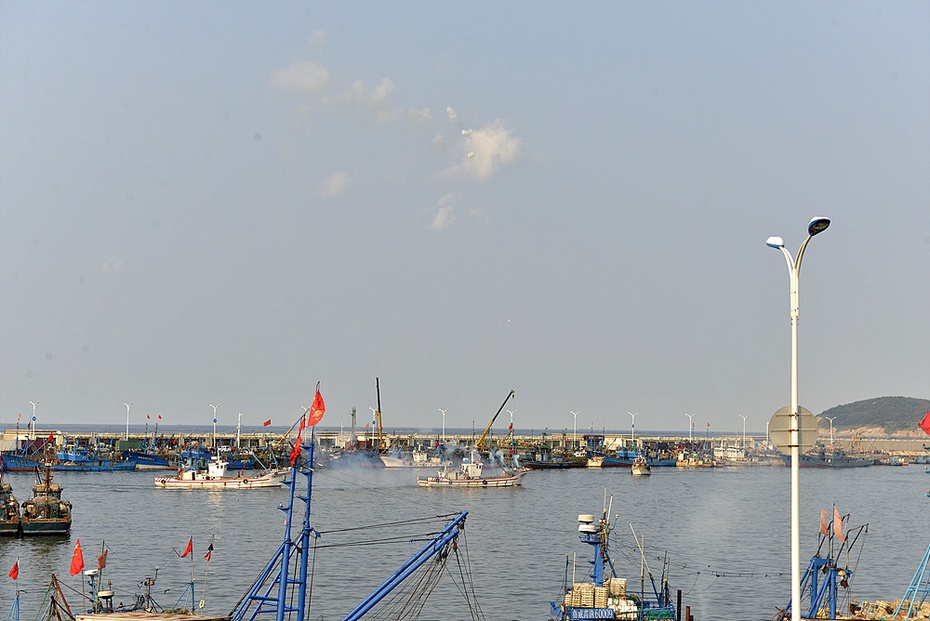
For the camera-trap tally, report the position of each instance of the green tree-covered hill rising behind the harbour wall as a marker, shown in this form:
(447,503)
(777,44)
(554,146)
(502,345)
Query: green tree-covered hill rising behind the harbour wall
(894,414)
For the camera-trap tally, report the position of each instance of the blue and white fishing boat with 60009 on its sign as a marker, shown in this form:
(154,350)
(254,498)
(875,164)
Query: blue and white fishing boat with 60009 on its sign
(603,594)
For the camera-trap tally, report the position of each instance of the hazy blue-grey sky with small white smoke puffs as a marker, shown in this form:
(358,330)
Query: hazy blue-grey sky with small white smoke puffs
(224,203)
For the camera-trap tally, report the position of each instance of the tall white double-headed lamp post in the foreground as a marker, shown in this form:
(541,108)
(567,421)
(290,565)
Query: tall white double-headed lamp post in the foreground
(817,225)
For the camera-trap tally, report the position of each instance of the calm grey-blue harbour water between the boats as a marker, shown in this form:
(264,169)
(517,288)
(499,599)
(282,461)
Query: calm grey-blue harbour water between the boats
(725,531)
